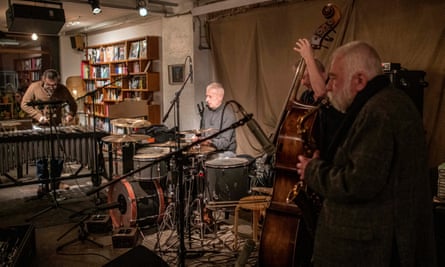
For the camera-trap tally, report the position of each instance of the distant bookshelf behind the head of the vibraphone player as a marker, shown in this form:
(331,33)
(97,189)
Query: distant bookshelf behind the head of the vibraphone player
(30,69)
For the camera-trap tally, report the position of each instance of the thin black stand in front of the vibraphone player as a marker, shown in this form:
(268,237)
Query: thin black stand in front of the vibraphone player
(52,104)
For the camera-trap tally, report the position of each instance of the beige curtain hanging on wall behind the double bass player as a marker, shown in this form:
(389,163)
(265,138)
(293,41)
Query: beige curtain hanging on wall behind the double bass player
(253,55)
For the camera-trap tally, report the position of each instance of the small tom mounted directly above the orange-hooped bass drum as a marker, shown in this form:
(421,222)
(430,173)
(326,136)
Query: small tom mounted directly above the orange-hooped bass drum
(146,156)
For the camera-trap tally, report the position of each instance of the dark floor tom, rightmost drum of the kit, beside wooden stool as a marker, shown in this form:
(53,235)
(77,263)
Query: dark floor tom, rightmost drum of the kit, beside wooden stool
(229,177)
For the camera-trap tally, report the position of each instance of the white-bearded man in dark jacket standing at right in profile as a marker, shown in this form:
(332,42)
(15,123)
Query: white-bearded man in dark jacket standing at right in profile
(377,208)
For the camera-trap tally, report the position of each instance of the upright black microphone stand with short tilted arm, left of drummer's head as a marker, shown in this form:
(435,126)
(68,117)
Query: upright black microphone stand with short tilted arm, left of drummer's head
(180,166)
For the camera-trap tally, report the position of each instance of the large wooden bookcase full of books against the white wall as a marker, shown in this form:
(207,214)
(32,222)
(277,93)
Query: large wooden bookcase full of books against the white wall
(120,73)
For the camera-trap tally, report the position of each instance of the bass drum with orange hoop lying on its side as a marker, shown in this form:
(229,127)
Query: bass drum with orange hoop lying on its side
(140,204)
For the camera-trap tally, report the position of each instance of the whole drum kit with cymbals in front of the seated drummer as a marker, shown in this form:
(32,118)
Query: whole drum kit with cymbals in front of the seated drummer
(144,195)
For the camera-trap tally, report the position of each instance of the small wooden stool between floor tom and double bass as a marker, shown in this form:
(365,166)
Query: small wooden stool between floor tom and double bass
(256,204)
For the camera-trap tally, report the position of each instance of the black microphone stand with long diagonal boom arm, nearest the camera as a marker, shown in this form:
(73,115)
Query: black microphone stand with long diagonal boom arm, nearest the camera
(178,154)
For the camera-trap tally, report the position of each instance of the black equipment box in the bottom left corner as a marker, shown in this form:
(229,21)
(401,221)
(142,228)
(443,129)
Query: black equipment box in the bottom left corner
(17,245)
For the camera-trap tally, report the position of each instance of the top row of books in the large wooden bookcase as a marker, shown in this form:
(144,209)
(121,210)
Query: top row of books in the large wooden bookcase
(137,49)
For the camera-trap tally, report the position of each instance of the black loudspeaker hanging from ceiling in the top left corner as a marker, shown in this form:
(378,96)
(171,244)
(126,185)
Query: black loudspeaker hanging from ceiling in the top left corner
(29,18)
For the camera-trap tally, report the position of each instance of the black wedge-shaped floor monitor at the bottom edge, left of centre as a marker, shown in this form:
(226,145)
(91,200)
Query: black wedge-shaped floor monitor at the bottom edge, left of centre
(139,256)
